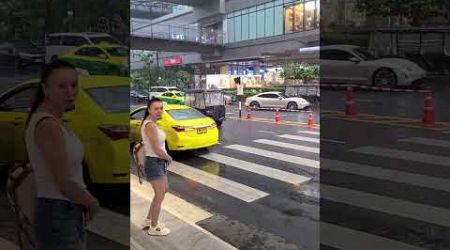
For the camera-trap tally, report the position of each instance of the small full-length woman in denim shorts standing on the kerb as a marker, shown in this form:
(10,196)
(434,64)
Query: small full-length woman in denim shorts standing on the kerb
(156,162)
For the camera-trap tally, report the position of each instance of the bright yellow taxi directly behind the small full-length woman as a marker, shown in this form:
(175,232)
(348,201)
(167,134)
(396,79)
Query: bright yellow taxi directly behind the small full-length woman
(186,128)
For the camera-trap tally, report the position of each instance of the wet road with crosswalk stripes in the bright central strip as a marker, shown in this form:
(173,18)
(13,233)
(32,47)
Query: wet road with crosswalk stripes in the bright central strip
(260,184)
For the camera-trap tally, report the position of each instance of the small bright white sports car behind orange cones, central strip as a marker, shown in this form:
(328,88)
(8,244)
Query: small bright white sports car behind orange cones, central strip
(275,99)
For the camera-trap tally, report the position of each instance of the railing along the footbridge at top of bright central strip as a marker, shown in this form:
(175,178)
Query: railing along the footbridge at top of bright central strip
(177,33)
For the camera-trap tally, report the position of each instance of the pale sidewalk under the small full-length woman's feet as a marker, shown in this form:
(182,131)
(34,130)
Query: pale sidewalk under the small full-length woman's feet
(178,215)
